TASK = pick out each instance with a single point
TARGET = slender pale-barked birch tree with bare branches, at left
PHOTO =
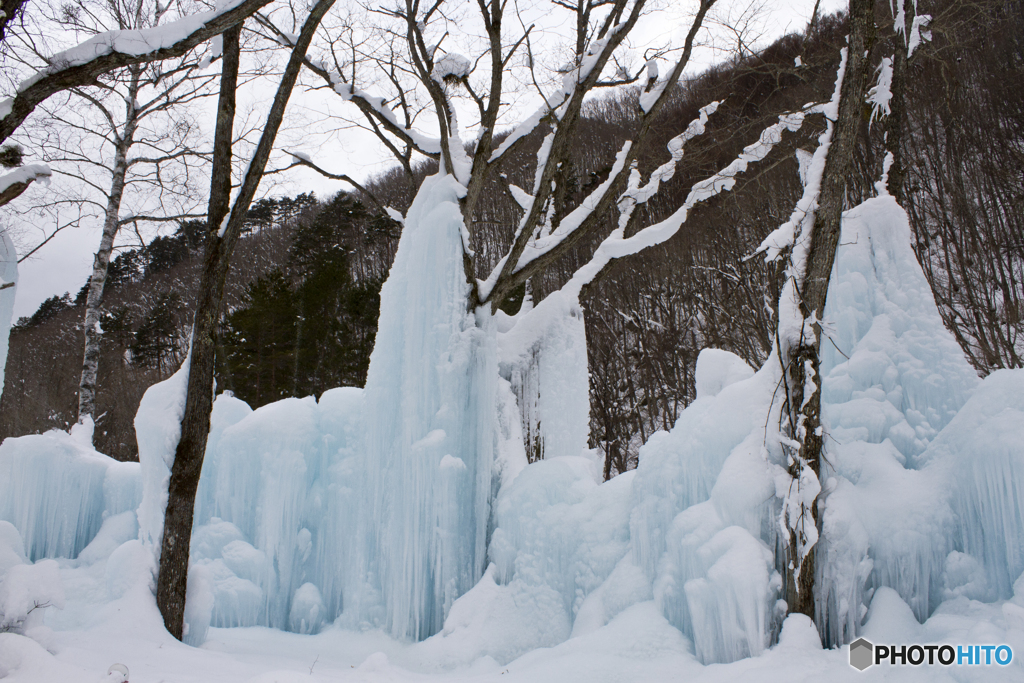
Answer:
(130, 144)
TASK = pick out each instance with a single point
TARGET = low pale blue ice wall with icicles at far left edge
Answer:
(58, 492)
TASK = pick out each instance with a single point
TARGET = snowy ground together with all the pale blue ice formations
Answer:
(332, 535)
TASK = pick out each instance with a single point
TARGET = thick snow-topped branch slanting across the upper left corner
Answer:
(83, 64)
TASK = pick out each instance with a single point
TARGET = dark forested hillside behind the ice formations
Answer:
(305, 288)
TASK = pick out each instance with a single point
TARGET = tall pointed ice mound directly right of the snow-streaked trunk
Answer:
(893, 379)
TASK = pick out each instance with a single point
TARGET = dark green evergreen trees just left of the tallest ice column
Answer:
(304, 333)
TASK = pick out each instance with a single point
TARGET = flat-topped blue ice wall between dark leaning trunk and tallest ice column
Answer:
(277, 508)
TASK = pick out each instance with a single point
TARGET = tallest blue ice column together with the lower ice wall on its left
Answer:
(380, 523)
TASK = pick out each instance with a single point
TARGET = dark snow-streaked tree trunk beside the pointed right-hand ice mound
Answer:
(825, 241)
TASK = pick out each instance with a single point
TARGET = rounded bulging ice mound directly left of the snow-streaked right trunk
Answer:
(703, 519)
